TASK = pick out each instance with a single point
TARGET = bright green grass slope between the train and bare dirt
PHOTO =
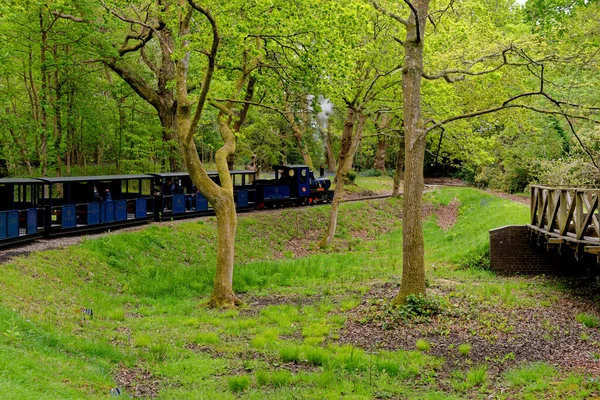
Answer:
(146, 289)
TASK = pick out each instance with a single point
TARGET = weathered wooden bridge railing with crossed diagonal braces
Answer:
(566, 214)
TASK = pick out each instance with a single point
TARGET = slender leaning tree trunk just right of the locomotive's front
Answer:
(350, 143)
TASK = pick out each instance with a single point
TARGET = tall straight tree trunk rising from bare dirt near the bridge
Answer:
(413, 269)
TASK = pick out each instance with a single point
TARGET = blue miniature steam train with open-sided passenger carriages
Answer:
(31, 208)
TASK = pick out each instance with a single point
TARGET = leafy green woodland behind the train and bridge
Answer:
(84, 88)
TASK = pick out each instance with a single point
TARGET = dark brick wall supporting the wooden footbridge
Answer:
(512, 252)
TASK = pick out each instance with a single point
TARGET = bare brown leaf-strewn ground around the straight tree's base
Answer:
(500, 336)
